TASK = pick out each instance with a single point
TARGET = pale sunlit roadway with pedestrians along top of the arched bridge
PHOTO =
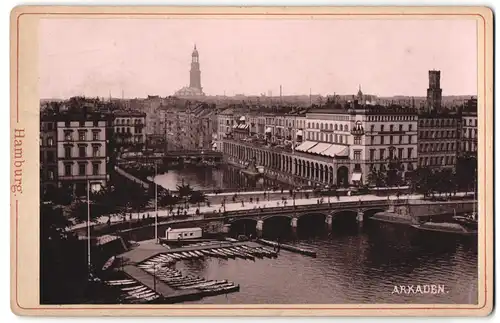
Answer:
(164, 214)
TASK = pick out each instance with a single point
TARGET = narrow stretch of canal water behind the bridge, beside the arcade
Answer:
(210, 178)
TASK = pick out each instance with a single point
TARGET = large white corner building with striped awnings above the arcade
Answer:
(362, 140)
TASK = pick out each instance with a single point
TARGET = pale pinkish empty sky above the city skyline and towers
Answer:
(95, 57)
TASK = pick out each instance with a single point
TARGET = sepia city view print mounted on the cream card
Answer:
(258, 160)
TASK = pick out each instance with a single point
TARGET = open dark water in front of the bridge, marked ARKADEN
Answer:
(353, 265)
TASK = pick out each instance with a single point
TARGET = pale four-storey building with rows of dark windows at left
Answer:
(81, 150)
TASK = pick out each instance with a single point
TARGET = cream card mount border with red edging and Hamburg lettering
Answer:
(25, 205)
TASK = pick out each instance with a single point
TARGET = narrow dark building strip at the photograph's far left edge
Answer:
(48, 152)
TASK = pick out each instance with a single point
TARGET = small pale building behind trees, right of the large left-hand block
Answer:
(129, 127)
